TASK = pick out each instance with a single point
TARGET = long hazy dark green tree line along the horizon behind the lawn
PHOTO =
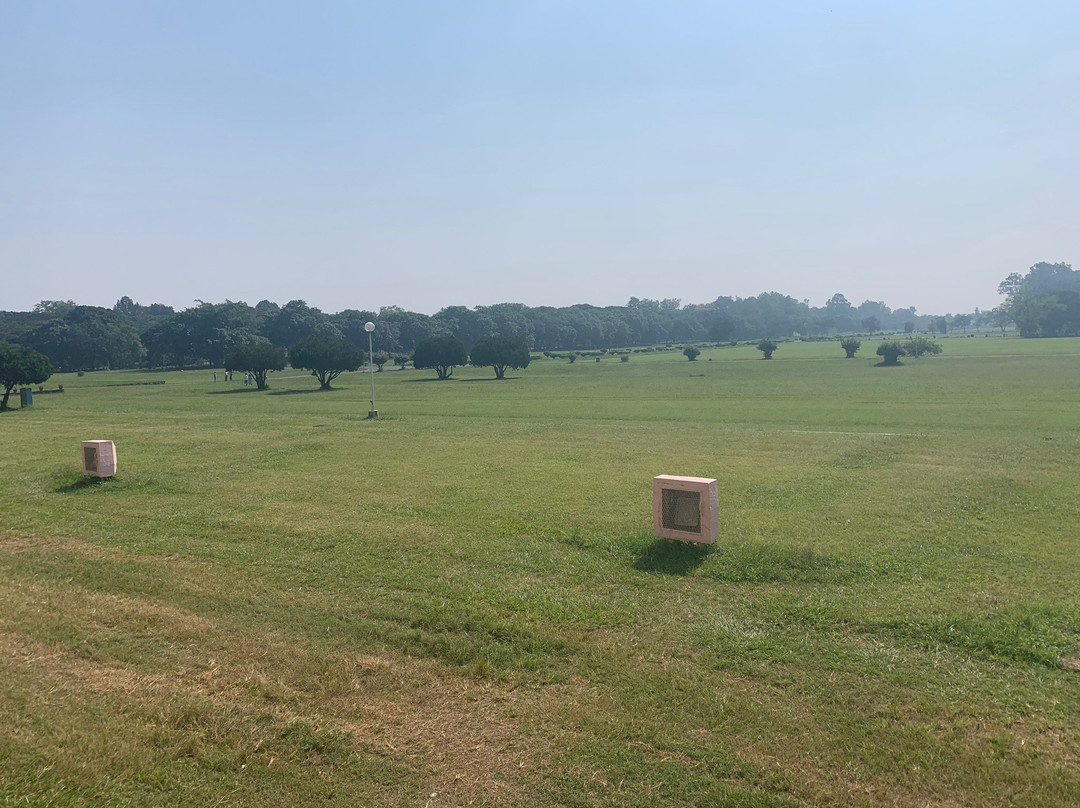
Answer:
(1044, 303)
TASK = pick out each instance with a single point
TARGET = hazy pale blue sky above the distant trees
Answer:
(359, 155)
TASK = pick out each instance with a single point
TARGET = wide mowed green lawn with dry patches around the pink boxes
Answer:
(278, 602)
